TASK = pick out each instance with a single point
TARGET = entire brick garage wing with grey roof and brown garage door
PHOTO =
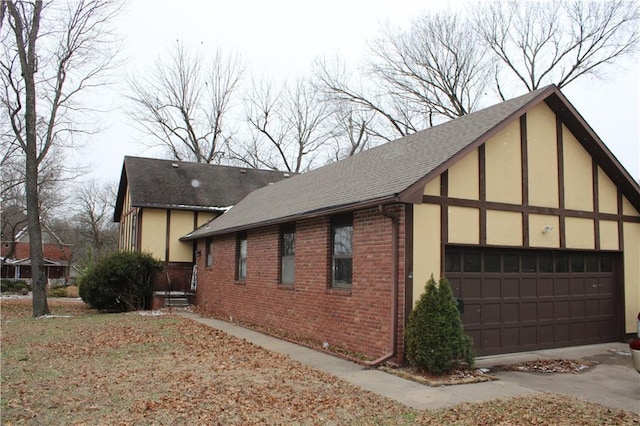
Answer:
(521, 206)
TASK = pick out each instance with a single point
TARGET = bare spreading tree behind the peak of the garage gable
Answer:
(539, 43)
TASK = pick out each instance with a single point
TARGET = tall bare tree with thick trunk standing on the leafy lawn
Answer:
(51, 54)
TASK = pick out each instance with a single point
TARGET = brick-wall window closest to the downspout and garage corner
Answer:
(342, 251)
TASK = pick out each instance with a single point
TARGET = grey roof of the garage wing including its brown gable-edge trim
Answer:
(399, 170)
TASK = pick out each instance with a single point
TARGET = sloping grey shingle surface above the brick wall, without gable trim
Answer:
(378, 174)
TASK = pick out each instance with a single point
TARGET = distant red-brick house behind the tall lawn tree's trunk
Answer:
(16, 259)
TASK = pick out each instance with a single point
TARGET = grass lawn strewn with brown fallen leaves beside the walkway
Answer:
(81, 367)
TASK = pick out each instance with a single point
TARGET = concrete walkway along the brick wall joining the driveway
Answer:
(612, 383)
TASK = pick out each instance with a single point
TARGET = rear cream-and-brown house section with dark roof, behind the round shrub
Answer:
(159, 201)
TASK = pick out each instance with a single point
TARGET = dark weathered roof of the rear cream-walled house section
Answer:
(188, 186)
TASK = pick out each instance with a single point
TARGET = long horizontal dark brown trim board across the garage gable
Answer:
(493, 205)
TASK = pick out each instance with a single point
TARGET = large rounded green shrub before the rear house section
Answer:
(120, 282)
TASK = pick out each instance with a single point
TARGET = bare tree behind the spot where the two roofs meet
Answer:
(288, 127)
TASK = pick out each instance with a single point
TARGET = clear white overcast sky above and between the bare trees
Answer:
(282, 37)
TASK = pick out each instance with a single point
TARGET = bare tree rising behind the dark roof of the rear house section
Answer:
(185, 101)
